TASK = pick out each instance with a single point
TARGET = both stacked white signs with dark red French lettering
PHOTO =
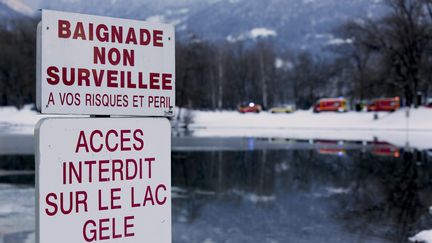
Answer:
(104, 179)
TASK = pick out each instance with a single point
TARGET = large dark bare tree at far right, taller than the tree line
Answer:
(400, 39)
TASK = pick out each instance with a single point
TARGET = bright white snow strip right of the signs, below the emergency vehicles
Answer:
(419, 119)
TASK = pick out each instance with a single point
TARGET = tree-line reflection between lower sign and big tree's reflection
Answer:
(233, 176)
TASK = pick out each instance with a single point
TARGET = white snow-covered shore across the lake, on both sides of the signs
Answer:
(414, 131)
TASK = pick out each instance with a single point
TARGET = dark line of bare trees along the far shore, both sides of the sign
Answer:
(387, 56)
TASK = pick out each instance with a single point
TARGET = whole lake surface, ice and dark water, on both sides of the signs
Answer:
(264, 189)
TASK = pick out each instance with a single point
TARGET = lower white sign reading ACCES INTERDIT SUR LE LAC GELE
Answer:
(103, 180)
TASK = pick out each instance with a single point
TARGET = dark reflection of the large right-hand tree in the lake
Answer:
(389, 196)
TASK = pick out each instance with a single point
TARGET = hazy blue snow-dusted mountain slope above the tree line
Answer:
(294, 24)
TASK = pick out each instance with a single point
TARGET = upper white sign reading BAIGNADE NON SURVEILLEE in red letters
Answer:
(94, 65)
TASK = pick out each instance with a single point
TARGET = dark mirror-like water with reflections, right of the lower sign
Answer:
(378, 194)
